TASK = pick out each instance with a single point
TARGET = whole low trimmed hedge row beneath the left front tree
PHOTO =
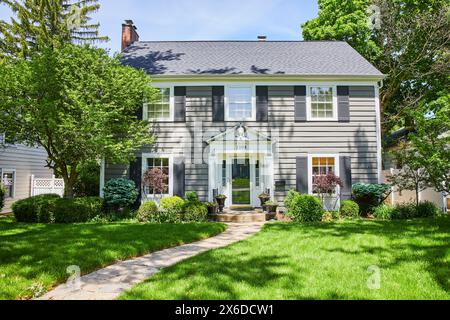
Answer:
(53, 209)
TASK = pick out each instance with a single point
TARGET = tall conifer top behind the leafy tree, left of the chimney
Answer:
(45, 23)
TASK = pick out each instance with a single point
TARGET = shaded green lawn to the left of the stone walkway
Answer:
(34, 255)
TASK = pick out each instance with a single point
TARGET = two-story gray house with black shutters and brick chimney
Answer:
(244, 117)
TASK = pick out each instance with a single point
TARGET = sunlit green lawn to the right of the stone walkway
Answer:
(316, 261)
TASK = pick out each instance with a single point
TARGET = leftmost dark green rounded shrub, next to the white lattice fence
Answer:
(35, 209)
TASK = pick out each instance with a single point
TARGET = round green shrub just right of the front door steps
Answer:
(305, 208)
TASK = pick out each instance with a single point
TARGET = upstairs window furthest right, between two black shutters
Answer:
(322, 103)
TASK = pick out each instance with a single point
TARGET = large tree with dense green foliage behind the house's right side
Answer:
(410, 44)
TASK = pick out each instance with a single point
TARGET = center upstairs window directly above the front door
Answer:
(240, 105)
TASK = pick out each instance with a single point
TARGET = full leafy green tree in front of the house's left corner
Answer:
(76, 102)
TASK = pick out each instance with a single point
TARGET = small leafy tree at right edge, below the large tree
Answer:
(431, 140)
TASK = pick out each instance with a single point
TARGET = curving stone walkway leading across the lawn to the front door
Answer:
(110, 282)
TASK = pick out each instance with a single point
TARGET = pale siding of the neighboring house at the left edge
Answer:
(26, 161)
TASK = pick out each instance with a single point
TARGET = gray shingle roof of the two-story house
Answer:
(320, 58)
